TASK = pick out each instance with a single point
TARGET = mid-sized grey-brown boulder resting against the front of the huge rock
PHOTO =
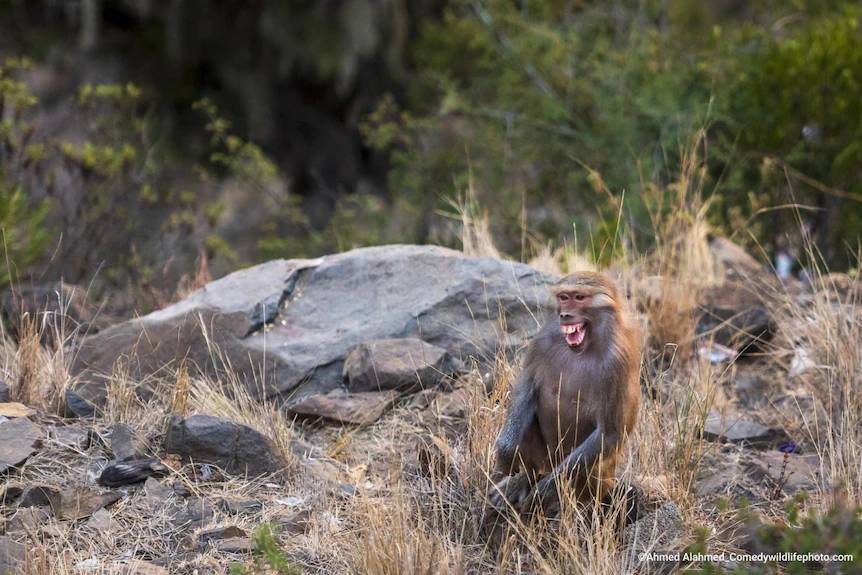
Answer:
(407, 364)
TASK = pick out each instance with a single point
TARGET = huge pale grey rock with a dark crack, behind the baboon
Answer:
(316, 311)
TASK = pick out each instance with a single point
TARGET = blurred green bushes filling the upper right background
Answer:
(540, 100)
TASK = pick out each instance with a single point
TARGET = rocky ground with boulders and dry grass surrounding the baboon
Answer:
(350, 403)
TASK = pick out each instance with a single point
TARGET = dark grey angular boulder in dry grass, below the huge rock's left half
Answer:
(236, 448)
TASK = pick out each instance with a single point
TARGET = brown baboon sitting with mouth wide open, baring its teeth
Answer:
(575, 400)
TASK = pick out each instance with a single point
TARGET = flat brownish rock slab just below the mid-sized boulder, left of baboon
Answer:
(356, 408)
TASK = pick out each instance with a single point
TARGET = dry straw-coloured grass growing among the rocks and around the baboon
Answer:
(421, 474)
